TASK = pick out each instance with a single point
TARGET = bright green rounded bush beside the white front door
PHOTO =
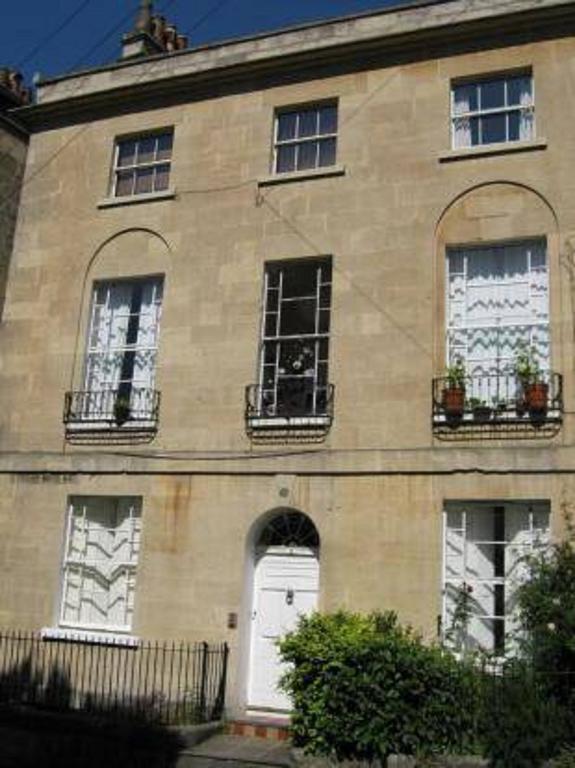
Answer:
(363, 687)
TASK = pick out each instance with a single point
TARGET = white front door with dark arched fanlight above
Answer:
(283, 550)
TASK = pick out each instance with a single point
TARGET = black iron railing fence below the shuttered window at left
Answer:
(170, 683)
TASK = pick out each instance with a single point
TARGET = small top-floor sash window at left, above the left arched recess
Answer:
(142, 164)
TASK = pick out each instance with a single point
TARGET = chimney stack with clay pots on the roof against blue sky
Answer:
(151, 35)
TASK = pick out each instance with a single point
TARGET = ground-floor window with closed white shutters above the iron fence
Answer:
(100, 559)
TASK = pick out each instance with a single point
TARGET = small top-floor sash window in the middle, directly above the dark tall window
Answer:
(305, 138)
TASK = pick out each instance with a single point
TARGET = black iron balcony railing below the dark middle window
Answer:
(294, 404)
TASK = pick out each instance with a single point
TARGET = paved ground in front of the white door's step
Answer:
(236, 751)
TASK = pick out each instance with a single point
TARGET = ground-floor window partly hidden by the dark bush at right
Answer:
(485, 550)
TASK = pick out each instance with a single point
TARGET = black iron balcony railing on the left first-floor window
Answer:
(112, 409)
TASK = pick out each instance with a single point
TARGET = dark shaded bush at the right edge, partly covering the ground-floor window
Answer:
(529, 715)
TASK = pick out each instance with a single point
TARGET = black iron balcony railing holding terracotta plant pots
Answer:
(494, 401)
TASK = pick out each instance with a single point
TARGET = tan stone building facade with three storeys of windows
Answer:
(248, 274)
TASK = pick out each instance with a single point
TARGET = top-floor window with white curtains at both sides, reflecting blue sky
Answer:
(492, 110)
